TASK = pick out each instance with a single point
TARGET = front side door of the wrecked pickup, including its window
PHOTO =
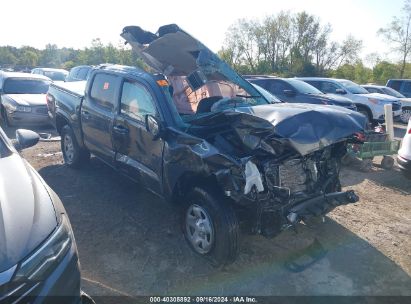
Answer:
(137, 154)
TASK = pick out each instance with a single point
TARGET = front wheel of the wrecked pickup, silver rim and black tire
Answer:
(206, 213)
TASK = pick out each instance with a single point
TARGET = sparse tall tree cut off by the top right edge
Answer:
(398, 33)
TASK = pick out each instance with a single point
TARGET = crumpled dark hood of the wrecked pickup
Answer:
(304, 127)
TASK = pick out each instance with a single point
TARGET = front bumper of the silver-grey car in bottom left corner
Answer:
(61, 286)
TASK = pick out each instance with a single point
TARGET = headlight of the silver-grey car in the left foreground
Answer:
(45, 259)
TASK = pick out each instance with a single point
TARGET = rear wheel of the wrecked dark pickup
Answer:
(73, 155)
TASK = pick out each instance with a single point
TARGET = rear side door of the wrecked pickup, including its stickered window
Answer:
(97, 114)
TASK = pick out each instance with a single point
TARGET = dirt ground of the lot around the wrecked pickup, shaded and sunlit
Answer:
(130, 243)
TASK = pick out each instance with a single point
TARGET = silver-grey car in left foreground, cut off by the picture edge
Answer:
(38, 253)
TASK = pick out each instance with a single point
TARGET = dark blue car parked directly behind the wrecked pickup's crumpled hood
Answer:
(297, 91)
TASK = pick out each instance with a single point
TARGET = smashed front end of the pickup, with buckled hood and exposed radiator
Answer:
(281, 180)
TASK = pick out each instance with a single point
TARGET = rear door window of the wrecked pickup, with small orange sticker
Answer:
(103, 90)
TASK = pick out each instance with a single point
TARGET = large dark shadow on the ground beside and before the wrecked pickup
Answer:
(130, 244)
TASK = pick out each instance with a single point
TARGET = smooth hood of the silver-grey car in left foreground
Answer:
(27, 214)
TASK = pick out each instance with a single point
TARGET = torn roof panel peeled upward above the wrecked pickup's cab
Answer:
(173, 52)
